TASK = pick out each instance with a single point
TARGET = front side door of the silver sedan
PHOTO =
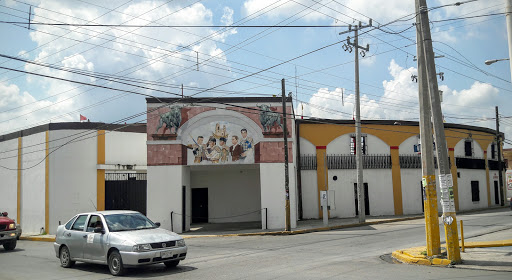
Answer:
(95, 245)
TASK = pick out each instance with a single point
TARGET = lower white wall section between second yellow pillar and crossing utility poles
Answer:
(412, 198)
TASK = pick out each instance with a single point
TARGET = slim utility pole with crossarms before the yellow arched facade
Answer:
(358, 150)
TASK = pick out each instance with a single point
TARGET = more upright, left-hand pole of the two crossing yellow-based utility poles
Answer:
(427, 151)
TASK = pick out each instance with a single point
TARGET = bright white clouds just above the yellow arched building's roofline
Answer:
(400, 101)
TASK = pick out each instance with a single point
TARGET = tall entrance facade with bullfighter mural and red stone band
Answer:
(219, 160)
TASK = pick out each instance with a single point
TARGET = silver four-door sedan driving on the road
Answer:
(118, 239)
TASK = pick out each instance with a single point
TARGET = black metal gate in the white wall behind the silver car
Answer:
(126, 191)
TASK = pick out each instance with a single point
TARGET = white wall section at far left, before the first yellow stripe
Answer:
(9, 177)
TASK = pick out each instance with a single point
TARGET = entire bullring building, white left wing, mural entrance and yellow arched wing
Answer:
(221, 160)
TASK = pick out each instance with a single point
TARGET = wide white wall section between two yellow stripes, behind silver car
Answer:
(72, 175)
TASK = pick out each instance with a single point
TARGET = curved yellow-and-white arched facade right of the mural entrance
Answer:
(392, 167)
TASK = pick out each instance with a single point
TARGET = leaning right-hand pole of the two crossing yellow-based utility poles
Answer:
(445, 177)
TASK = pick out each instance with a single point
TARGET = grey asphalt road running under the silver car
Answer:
(356, 253)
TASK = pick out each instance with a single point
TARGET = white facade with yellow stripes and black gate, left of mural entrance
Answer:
(51, 172)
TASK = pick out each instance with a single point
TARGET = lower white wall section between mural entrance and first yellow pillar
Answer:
(309, 194)
